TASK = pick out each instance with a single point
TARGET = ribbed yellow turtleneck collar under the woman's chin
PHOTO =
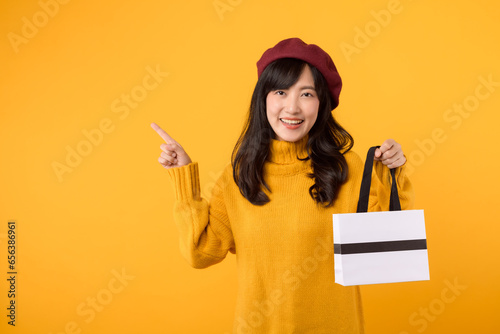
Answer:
(283, 155)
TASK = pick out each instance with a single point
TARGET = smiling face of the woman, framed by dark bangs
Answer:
(293, 111)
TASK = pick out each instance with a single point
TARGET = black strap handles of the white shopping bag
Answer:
(364, 191)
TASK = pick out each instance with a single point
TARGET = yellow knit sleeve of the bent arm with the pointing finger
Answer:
(204, 229)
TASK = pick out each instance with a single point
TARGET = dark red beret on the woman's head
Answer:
(311, 53)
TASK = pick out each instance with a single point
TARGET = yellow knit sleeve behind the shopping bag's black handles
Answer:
(380, 190)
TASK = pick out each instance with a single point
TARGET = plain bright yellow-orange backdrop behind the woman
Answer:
(113, 212)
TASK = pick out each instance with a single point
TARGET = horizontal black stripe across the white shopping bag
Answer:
(380, 246)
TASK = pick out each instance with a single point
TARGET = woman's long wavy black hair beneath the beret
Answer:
(326, 144)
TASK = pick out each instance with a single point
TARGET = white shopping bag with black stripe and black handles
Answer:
(379, 247)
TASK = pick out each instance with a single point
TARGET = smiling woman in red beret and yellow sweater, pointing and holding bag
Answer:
(291, 169)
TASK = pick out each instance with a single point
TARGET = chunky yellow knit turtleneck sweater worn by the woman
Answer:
(284, 249)
